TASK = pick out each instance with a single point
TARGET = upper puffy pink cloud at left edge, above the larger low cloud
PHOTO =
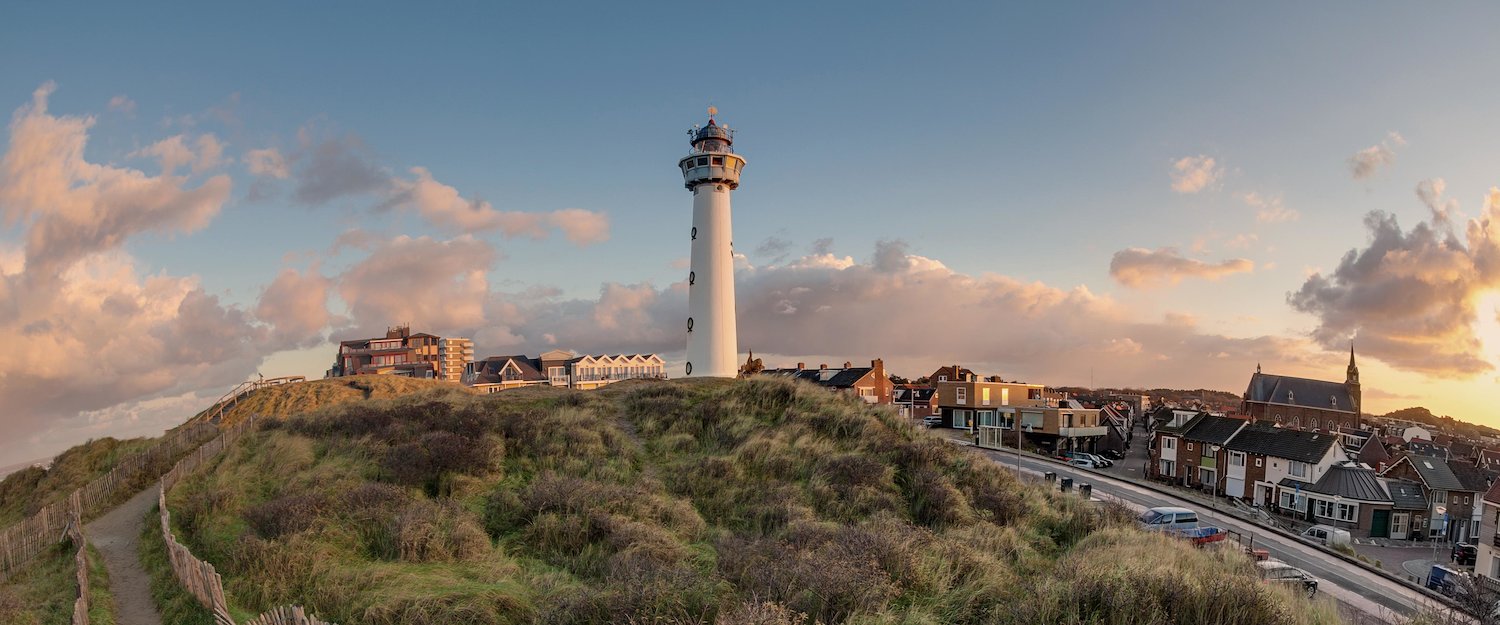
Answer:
(74, 208)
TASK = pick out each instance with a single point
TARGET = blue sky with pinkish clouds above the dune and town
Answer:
(1147, 196)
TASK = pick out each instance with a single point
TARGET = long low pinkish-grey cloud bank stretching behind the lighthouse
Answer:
(824, 305)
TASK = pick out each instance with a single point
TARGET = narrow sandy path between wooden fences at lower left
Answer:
(118, 537)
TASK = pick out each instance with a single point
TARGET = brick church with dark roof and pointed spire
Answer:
(1304, 404)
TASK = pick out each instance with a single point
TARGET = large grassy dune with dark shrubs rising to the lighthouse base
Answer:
(676, 503)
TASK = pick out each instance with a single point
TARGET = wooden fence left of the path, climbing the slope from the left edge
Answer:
(25, 542)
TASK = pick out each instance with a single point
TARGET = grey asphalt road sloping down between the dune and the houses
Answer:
(1355, 587)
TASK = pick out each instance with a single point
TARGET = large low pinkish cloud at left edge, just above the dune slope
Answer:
(106, 335)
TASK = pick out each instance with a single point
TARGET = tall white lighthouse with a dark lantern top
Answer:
(712, 172)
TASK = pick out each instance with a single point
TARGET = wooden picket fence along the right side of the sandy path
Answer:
(197, 576)
